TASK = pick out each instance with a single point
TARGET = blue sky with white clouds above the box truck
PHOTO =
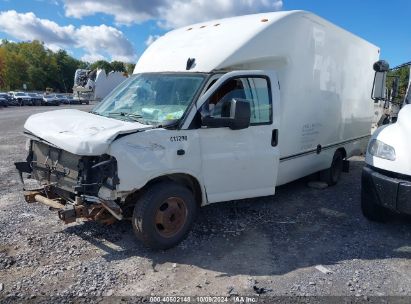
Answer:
(122, 29)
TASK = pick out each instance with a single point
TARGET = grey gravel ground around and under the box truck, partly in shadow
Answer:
(268, 246)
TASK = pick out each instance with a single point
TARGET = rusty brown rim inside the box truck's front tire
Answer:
(170, 217)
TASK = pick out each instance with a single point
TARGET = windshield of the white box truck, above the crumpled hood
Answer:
(158, 99)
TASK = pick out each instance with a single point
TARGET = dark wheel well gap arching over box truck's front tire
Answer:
(183, 179)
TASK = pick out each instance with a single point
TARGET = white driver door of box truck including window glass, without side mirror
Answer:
(238, 164)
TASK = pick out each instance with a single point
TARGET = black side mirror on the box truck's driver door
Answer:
(235, 114)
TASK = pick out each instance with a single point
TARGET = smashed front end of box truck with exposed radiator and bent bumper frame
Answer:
(76, 186)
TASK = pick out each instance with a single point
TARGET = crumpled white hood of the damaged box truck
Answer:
(79, 132)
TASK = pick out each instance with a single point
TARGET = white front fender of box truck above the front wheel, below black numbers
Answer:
(143, 156)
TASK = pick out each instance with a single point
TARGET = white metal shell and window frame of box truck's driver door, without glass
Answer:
(239, 164)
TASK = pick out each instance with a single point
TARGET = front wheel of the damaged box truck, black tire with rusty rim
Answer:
(163, 216)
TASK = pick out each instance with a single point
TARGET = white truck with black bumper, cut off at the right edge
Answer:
(386, 178)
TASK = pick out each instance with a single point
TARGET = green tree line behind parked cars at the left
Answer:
(34, 66)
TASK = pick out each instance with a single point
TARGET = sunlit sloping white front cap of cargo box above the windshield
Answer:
(210, 43)
